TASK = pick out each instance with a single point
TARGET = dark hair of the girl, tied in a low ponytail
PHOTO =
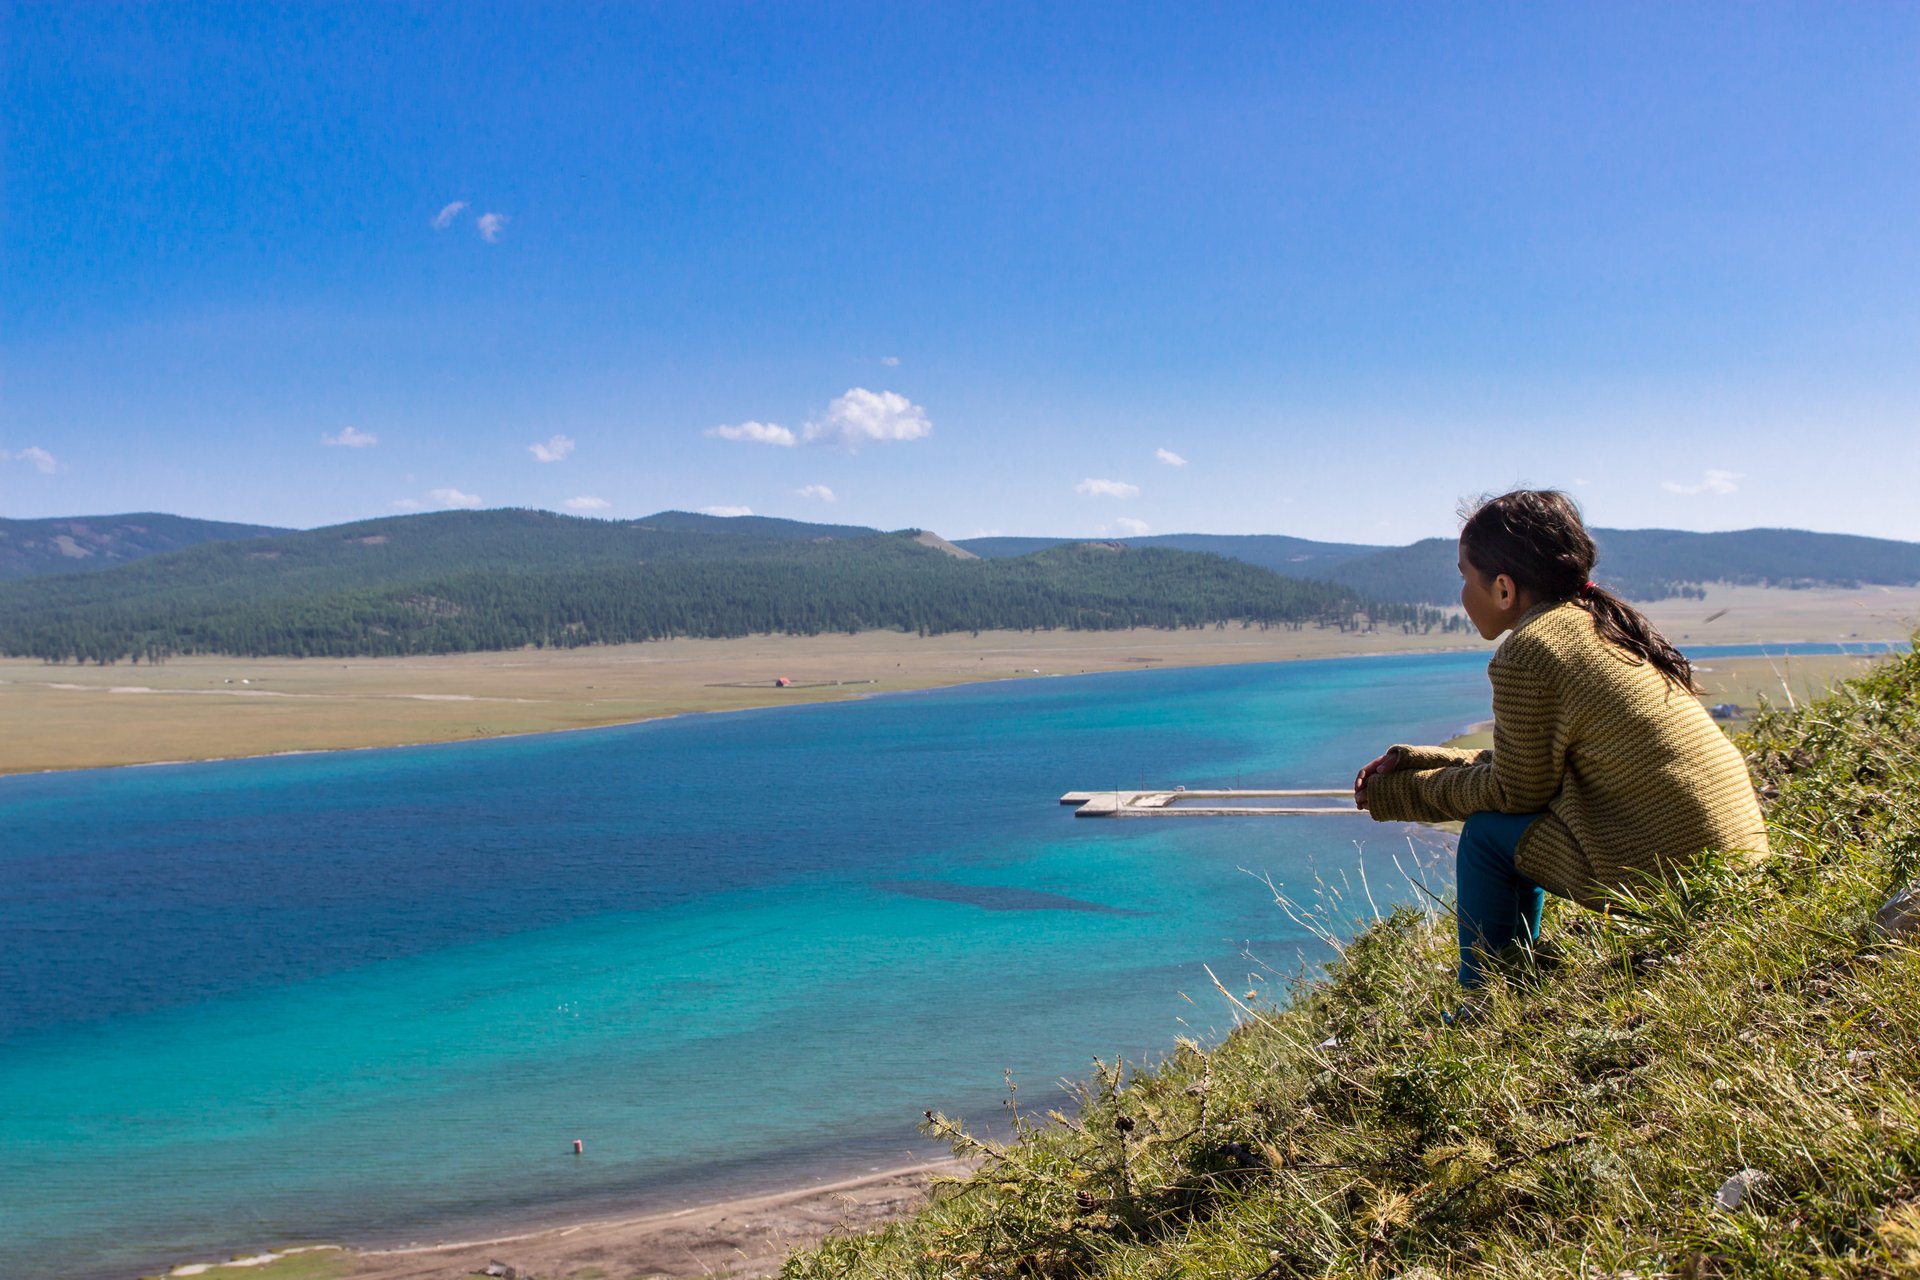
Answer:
(1535, 536)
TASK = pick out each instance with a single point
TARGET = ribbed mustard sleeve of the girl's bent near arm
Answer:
(1520, 776)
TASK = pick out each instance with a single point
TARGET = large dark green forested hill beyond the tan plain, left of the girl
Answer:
(454, 582)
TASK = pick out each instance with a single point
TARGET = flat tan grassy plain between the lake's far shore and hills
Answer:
(214, 709)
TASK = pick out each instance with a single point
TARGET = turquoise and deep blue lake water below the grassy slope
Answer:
(375, 997)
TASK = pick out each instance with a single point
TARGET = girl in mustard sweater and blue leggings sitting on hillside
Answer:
(1606, 772)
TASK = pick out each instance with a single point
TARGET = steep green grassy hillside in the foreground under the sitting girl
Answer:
(1750, 1018)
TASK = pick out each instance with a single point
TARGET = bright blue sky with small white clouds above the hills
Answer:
(1314, 270)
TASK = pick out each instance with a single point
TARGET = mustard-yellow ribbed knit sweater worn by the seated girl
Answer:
(1631, 772)
